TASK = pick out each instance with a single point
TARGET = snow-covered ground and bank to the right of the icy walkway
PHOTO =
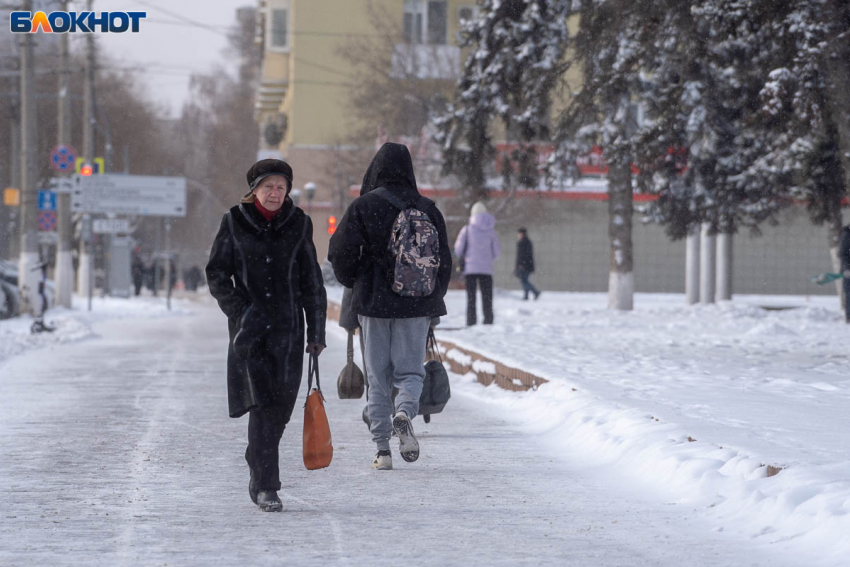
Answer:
(698, 403)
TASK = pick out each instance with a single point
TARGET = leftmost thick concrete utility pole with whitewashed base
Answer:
(28, 260)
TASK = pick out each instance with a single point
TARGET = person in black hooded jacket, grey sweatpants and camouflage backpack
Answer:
(392, 248)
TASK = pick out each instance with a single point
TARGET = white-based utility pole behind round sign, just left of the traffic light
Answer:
(64, 263)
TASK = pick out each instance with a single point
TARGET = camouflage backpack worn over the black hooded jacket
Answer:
(414, 248)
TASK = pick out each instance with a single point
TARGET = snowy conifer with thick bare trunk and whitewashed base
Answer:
(602, 112)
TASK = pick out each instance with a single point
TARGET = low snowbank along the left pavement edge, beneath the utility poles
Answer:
(76, 324)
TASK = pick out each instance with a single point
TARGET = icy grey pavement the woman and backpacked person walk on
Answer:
(118, 451)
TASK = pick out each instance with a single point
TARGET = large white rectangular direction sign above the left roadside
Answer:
(130, 195)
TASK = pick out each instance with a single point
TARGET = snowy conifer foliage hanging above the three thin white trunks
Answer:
(707, 66)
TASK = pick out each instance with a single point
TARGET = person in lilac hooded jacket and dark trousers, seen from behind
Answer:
(478, 246)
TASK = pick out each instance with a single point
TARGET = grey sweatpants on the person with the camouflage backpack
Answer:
(395, 355)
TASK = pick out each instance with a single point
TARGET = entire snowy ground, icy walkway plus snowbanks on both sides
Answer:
(116, 448)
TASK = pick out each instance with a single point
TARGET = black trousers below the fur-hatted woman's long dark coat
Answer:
(265, 428)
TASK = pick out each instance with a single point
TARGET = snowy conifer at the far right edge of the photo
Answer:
(804, 120)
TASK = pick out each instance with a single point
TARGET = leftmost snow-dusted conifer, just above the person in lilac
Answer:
(517, 59)
